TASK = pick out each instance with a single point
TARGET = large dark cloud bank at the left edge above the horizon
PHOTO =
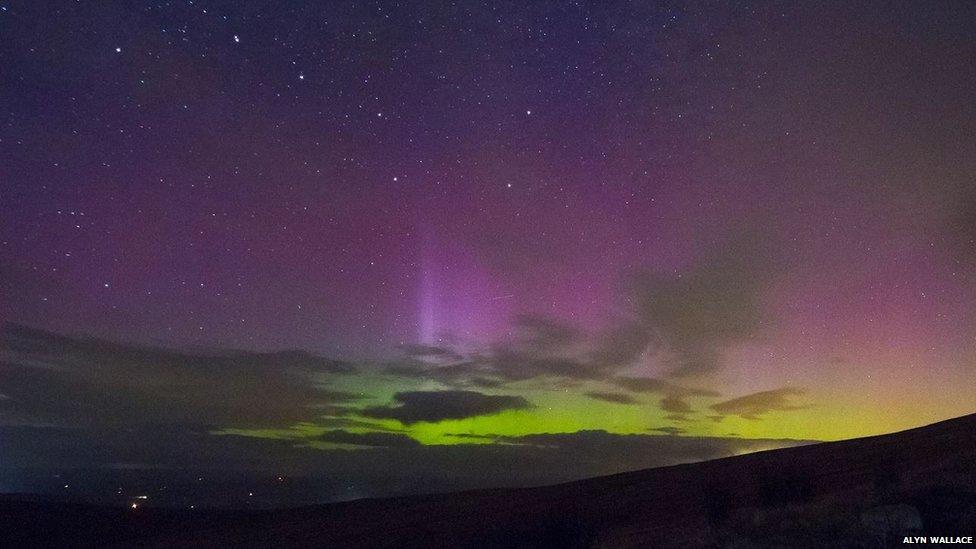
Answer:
(55, 379)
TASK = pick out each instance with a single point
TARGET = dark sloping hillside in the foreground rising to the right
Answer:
(859, 493)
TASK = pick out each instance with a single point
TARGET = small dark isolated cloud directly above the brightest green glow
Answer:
(433, 406)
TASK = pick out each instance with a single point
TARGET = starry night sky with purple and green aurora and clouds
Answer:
(414, 246)
